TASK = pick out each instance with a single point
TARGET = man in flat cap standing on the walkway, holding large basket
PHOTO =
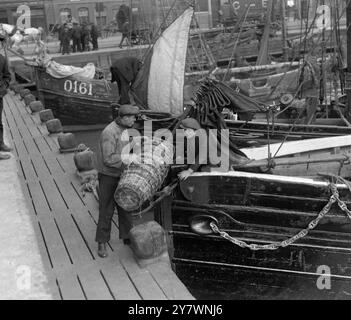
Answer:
(110, 168)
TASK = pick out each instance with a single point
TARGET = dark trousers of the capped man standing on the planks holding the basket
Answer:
(107, 188)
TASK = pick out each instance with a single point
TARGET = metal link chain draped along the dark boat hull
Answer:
(274, 246)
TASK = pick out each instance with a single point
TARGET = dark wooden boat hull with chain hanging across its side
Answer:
(261, 209)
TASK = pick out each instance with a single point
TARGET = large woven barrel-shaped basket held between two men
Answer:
(139, 182)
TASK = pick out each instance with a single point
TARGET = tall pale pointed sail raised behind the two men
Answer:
(160, 82)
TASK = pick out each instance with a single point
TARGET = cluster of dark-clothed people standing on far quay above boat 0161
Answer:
(75, 37)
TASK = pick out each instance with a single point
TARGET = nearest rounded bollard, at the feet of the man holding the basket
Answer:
(148, 240)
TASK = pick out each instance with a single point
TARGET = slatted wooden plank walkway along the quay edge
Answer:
(64, 222)
